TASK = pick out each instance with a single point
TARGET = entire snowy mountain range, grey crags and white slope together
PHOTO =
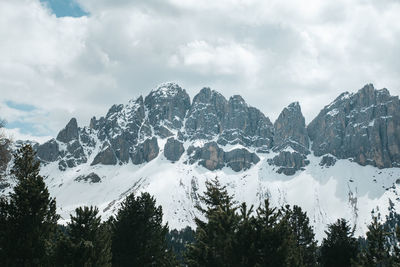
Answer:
(345, 163)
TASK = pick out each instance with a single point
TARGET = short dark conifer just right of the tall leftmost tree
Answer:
(87, 241)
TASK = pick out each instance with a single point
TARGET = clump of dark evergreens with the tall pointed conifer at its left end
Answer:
(232, 236)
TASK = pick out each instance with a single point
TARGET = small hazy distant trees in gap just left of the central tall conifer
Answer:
(179, 240)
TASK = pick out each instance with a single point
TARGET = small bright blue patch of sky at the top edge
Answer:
(65, 8)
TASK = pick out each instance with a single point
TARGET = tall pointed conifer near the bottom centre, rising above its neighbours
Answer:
(215, 238)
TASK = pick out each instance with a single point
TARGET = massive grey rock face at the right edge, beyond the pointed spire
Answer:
(364, 126)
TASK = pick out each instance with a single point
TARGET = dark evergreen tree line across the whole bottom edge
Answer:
(227, 233)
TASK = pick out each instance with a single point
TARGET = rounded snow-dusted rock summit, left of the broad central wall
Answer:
(167, 106)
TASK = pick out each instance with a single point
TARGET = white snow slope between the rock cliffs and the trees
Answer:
(344, 190)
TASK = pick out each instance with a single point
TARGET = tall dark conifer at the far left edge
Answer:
(29, 216)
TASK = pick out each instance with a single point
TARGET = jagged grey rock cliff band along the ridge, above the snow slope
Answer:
(364, 127)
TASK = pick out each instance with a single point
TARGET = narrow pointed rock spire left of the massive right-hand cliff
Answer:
(290, 129)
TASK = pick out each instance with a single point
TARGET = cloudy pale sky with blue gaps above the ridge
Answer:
(75, 58)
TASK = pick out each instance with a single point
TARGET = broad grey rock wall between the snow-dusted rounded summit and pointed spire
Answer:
(233, 121)
